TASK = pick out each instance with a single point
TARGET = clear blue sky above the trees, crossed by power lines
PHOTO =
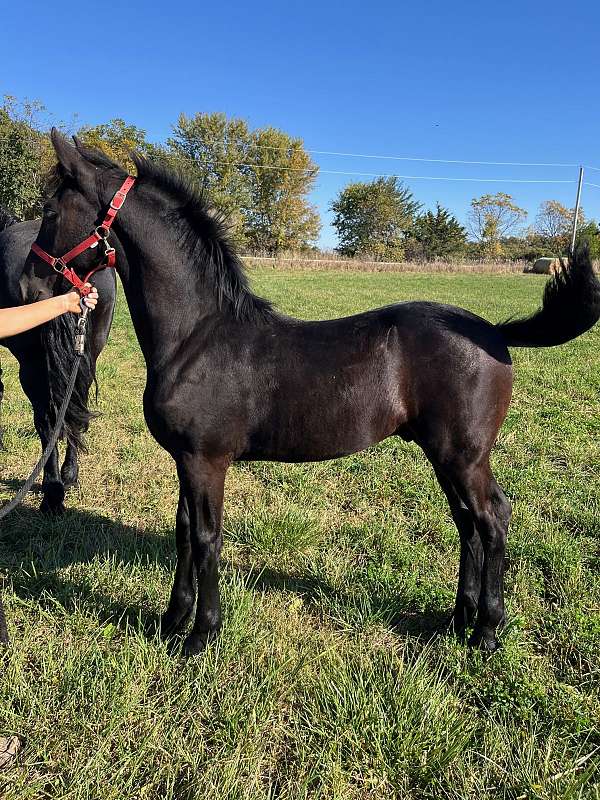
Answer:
(511, 81)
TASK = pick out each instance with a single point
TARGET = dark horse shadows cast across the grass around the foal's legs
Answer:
(34, 548)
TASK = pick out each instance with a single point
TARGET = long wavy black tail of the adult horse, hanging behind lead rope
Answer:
(58, 337)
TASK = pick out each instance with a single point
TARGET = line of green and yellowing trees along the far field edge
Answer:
(261, 180)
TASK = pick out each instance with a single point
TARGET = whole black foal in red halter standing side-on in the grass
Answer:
(230, 378)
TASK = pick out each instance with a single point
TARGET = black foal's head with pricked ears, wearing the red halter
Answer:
(84, 183)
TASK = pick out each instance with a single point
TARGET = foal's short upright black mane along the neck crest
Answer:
(206, 236)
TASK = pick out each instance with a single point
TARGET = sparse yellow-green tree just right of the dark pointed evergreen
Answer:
(492, 218)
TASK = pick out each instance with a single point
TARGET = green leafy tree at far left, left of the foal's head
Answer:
(25, 155)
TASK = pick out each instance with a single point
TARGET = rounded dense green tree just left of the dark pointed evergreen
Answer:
(374, 218)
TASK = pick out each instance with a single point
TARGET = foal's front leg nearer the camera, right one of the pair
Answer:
(202, 480)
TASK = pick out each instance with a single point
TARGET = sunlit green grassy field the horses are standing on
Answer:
(330, 679)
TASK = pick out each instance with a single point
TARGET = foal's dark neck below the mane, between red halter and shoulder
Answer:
(164, 302)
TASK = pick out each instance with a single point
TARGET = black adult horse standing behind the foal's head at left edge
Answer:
(45, 355)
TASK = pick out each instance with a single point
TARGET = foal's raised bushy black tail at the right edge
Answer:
(570, 307)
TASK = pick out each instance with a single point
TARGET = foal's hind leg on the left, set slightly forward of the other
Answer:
(471, 559)
